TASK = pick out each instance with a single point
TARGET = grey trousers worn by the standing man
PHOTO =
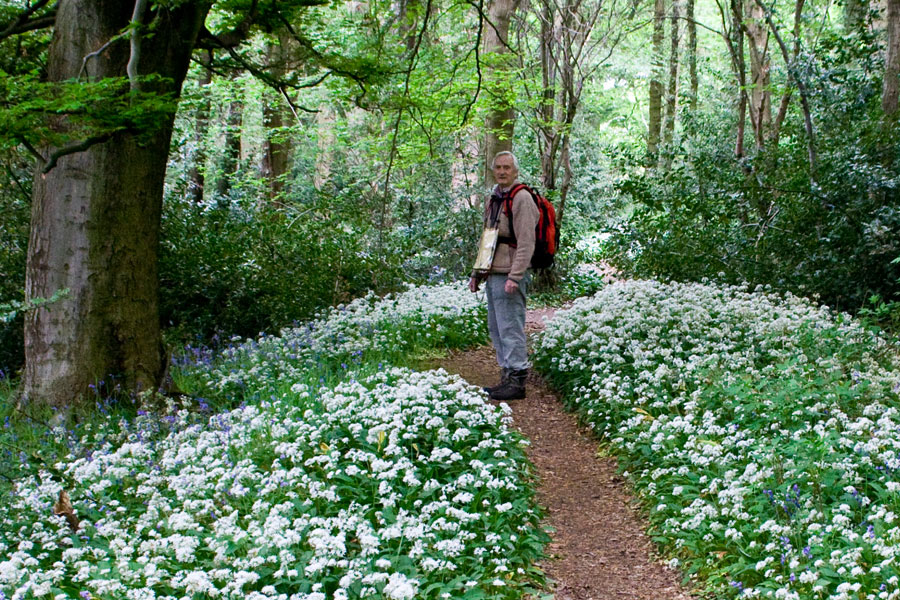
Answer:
(506, 321)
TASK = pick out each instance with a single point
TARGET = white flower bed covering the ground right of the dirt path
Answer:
(763, 431)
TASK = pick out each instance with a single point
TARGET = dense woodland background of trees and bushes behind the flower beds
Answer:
(315, 151)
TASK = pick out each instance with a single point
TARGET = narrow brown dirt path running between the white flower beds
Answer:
(599, 550)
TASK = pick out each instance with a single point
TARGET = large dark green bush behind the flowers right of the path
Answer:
(768, 217)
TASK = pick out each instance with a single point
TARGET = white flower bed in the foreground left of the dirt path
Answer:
(407, 485)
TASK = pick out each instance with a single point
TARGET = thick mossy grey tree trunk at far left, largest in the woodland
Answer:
(95, 218)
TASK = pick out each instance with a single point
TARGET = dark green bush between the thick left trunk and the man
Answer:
(240, 270)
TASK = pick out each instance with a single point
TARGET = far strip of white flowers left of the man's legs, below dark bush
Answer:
(366, 328)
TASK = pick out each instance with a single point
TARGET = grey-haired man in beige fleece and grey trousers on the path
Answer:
(507, 282)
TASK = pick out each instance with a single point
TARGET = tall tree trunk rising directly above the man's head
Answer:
(501, 118)
